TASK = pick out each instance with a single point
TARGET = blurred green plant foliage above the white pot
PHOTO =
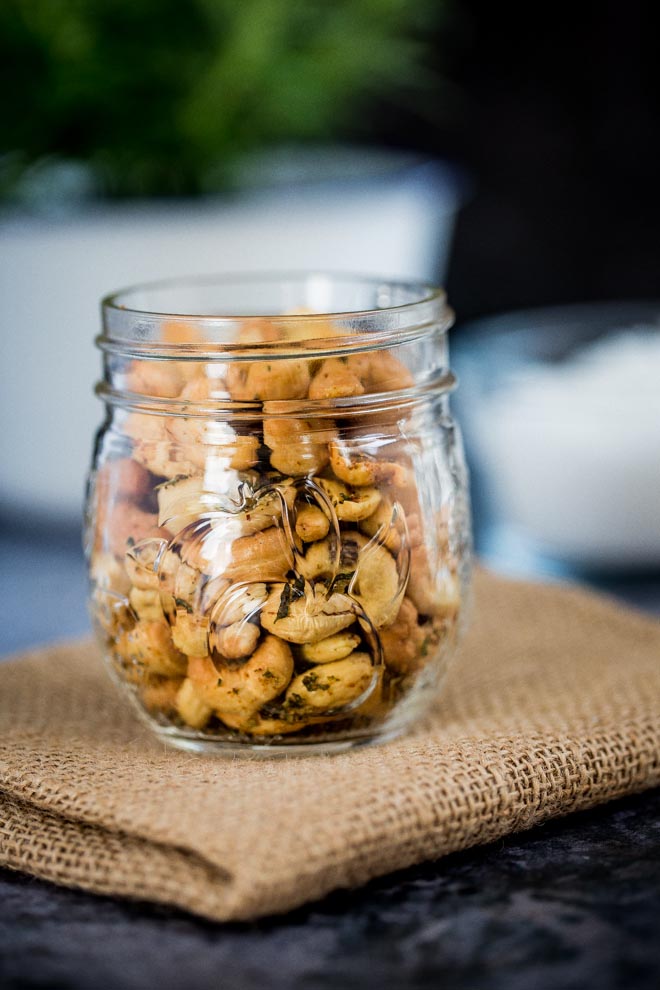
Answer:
(160, 97)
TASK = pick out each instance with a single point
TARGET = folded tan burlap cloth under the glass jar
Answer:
(553, 705)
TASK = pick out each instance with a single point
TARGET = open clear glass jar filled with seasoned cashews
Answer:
(277, 525)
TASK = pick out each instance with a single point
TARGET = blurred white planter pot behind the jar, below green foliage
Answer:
(53, 272)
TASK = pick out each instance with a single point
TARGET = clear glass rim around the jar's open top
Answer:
(132, 322)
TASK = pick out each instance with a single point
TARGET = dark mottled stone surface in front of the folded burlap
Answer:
(572, 905)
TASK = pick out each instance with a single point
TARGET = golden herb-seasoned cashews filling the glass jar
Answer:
(272, 576)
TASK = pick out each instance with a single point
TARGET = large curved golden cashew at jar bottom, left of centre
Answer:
(243, 690)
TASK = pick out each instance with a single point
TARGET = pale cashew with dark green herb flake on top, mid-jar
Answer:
(309, 618)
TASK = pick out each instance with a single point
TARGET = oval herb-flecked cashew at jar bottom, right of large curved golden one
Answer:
(330, 685)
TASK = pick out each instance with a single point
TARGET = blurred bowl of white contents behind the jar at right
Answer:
(561, 413)
